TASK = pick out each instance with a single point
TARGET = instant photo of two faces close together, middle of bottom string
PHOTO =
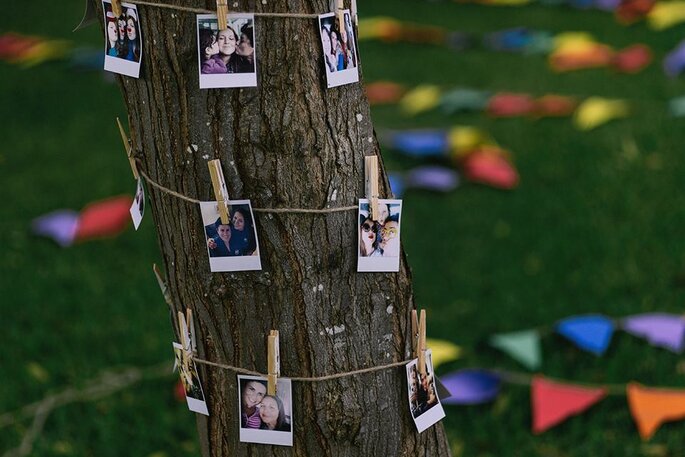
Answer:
(264, 418)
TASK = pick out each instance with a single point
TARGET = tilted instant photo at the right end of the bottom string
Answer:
(424, 402)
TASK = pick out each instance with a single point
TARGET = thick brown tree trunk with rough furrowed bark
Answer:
(293, 143)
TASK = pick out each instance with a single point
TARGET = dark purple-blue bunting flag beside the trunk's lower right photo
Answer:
(471, 386)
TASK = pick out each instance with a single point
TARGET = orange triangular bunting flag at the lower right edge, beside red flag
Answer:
(651, 407)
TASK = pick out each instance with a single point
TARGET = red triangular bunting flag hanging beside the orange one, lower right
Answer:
(554, 402)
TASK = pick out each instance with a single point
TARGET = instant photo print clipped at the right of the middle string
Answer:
(379, 241)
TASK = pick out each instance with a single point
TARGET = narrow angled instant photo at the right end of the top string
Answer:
(340, 55)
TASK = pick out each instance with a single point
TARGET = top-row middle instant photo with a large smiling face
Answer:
(226, 57)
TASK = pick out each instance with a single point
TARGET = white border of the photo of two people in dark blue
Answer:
(210, 212)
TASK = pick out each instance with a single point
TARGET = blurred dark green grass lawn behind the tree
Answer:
(593, 227)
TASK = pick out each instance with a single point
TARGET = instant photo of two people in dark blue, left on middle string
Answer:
(234, 246)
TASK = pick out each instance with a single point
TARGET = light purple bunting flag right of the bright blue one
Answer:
(660, 329)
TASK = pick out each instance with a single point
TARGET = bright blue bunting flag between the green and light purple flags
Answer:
(591, 333)
